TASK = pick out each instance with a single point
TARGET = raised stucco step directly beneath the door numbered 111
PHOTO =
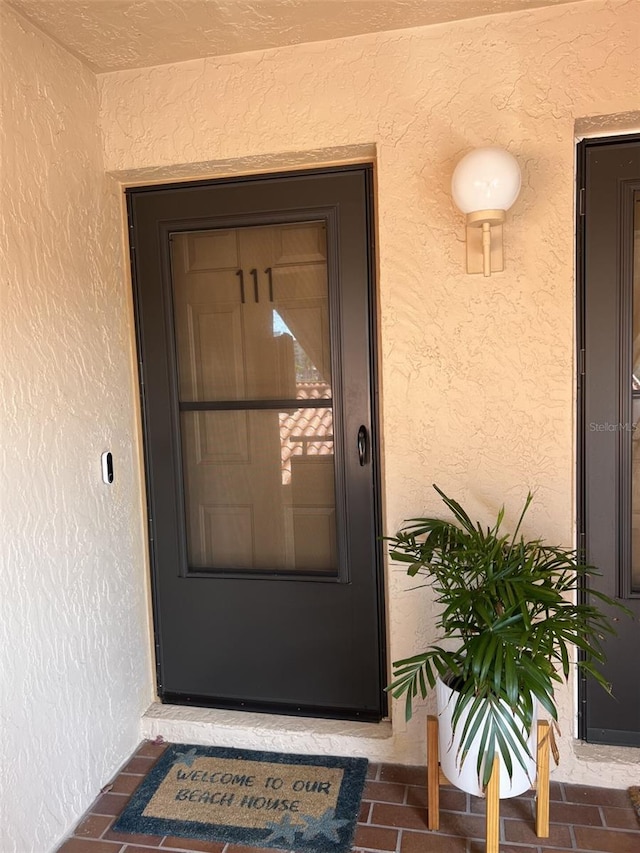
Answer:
(250, 730)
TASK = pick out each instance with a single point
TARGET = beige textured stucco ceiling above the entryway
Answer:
(114, 34)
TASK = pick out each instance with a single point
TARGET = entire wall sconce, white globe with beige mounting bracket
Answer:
(485, 184)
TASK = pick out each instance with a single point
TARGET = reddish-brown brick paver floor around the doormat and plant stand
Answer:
(393, 818)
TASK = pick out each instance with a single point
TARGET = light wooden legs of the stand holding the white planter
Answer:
(435, 778)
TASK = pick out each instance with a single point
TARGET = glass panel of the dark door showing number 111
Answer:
(251, 314)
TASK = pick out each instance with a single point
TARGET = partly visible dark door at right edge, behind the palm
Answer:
(609, 325)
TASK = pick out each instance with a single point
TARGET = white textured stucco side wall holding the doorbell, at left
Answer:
(74, 648)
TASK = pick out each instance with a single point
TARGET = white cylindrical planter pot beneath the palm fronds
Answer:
(465, 777)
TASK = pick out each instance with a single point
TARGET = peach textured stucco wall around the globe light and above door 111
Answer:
(477, 375)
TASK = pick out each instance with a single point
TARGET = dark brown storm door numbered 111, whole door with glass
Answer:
(254, 306)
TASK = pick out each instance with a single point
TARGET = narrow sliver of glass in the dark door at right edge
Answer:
(635, 527)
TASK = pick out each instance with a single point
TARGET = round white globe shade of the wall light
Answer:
(486, 179)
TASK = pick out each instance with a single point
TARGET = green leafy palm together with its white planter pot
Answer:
(512, 614)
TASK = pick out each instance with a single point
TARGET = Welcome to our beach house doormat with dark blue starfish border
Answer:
(259, 799)
